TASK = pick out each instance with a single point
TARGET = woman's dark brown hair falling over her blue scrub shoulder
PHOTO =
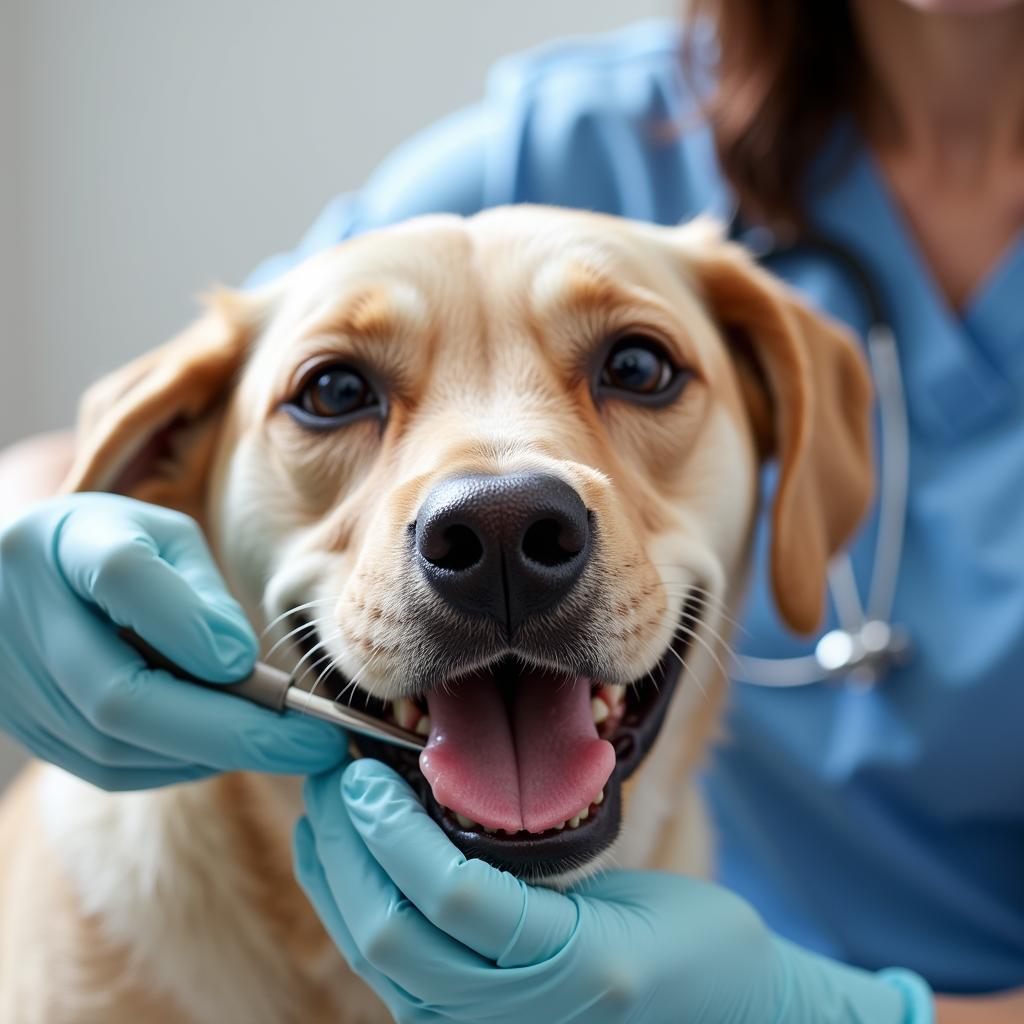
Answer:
(786, 70)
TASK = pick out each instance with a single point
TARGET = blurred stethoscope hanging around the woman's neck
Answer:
(867, 644)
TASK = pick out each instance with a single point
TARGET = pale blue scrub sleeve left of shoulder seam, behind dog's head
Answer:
(440, 170)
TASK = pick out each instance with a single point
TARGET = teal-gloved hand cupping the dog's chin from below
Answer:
(443, 938)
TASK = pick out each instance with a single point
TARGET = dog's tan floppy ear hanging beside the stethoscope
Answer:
(809, 395)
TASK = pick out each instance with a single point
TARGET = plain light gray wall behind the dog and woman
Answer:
(150, 149)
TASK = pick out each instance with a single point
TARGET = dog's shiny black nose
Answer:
(507, 547)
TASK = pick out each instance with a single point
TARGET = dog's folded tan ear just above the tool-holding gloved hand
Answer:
(148, 430)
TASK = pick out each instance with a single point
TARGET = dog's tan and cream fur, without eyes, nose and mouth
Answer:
(180, 906)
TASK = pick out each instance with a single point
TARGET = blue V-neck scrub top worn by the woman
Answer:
(882, 827)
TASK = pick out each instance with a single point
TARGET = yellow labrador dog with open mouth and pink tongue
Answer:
(499, 476)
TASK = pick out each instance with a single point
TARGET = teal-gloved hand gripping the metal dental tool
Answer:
(77, 696)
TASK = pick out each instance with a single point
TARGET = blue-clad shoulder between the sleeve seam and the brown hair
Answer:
(608, 122)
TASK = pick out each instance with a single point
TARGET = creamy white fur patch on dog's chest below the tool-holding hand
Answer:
(170, 874)
